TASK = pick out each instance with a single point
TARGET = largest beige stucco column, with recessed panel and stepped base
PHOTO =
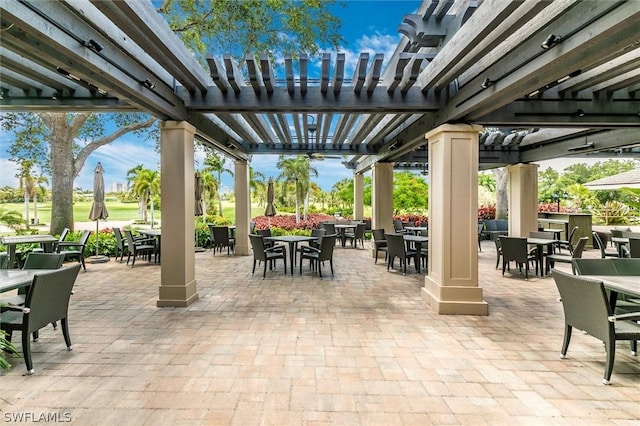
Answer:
(451, 287)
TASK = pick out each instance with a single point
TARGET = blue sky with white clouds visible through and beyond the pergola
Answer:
(368, 26)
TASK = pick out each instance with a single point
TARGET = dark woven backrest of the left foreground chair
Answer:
(48, 297)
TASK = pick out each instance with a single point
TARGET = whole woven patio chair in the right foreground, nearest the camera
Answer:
(587, 308)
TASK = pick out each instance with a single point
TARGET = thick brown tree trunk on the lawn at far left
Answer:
(62, 175)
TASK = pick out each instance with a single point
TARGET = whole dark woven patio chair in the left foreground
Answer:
(47, 302)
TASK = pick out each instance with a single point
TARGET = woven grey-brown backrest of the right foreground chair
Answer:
(585, 304)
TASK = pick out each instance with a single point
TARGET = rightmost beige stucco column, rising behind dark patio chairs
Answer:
(523, 199)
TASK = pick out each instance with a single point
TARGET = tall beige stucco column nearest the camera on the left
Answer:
(178, 286)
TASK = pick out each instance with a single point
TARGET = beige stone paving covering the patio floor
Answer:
(361, 348)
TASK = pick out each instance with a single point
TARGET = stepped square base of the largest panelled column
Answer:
(454, 300)
